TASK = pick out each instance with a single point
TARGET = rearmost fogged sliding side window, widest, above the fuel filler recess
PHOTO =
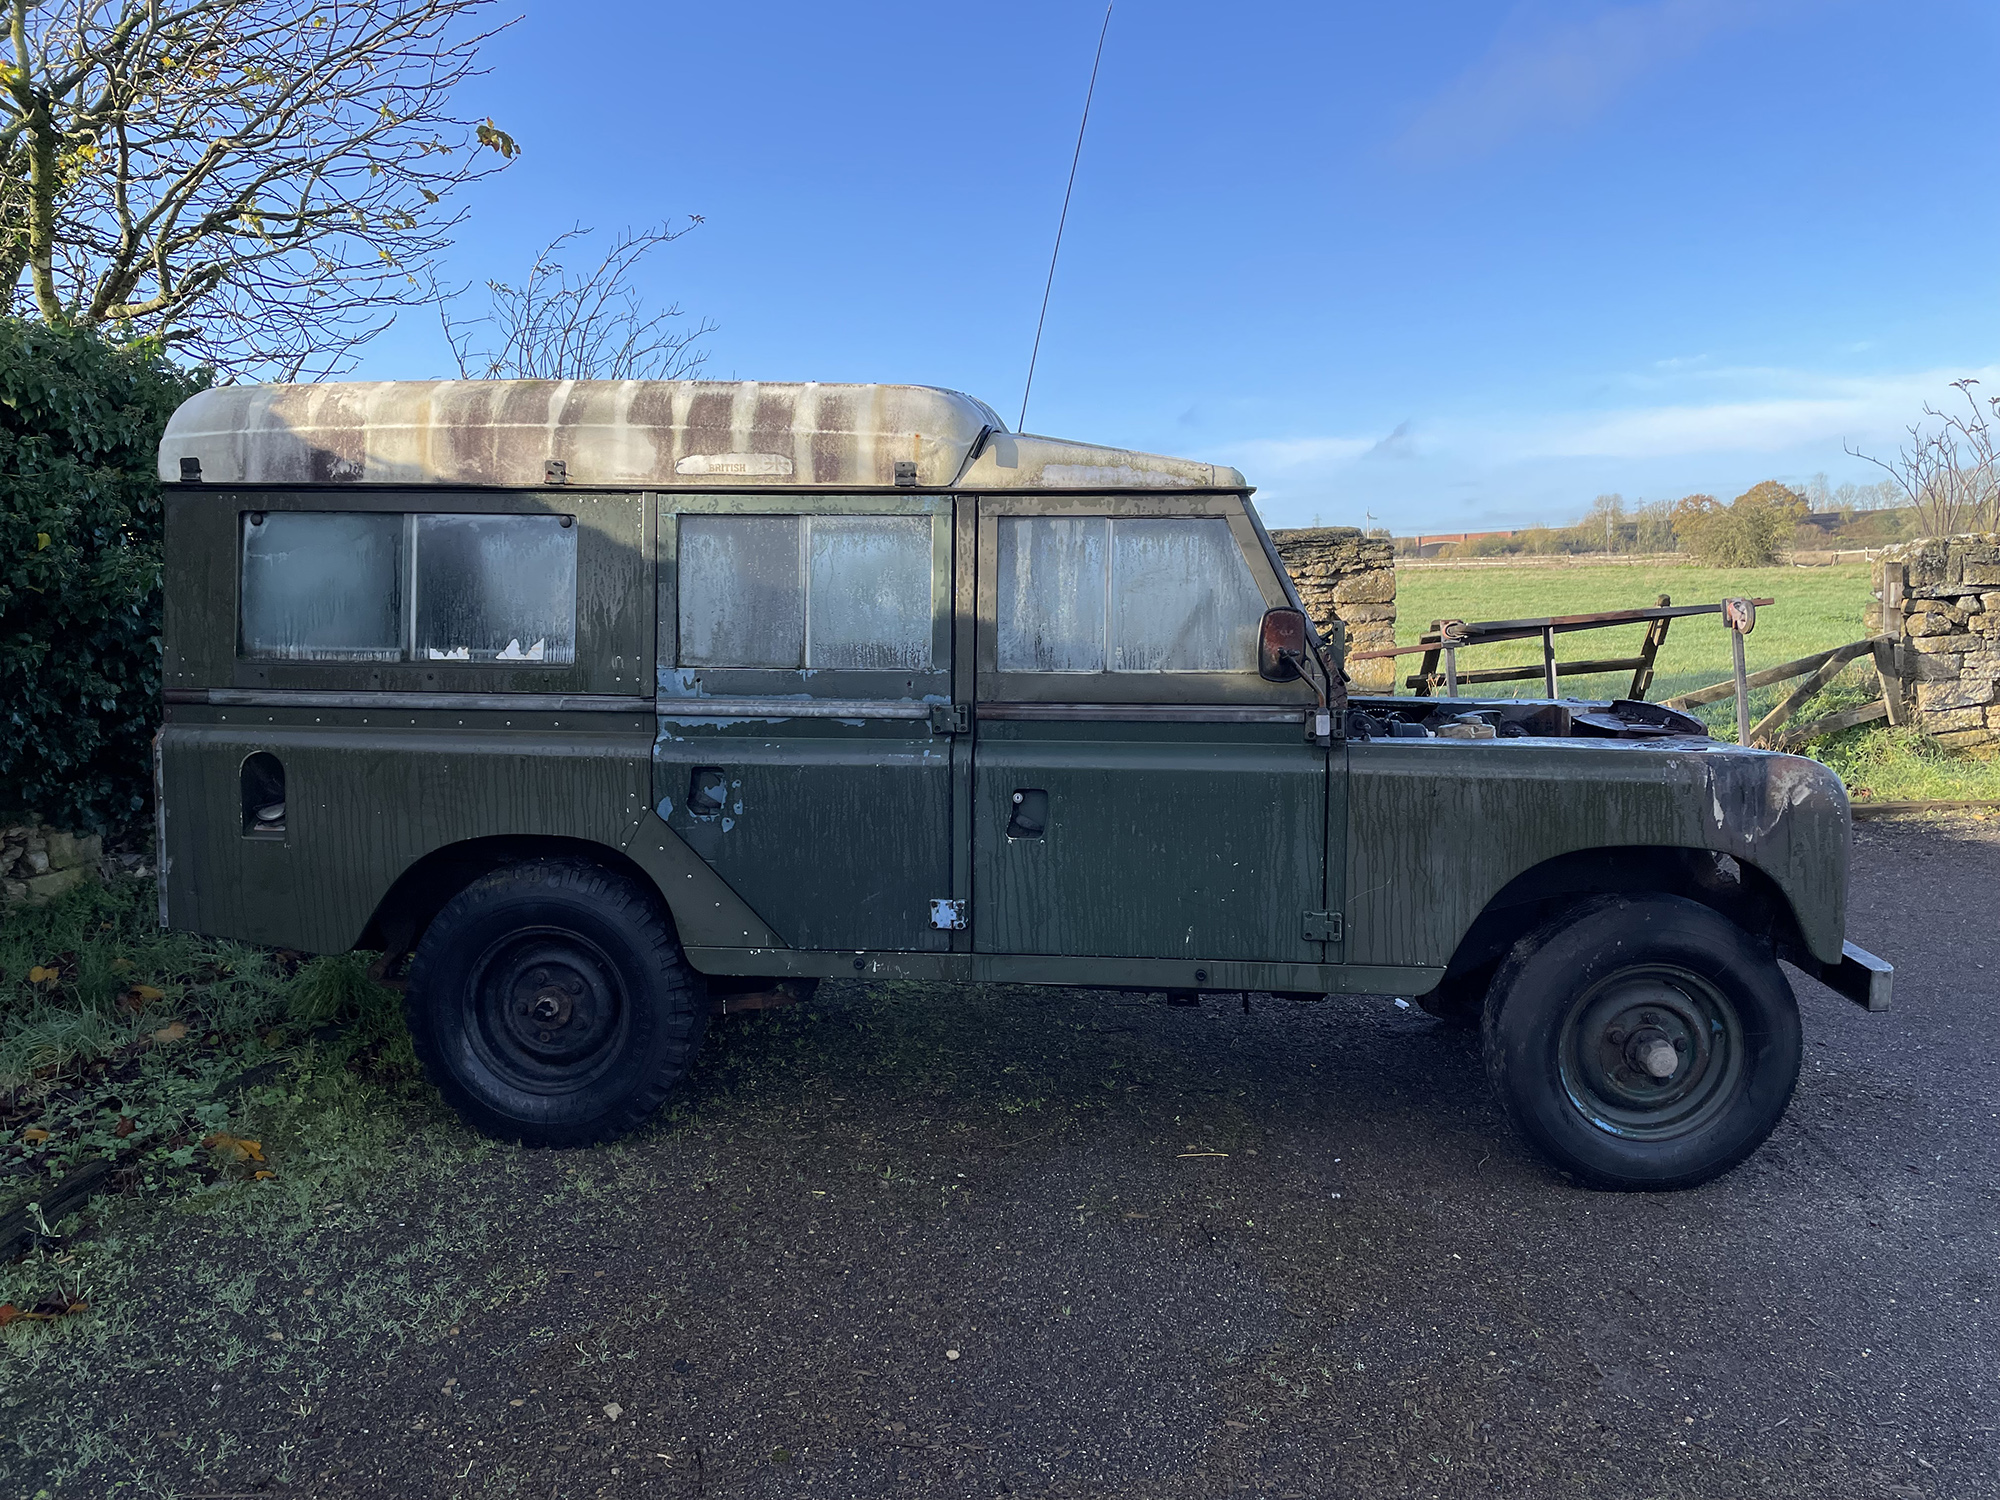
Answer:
(351, 587)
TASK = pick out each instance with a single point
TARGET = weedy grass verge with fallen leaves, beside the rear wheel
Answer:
(273, 1155)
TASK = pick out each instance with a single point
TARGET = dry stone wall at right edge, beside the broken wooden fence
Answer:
(1941, 601)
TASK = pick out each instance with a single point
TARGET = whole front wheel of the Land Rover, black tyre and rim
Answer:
(1643, 1043)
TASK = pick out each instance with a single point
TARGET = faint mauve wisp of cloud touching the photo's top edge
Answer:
(1547, 73)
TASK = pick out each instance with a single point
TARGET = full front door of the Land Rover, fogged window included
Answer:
(1139, 789)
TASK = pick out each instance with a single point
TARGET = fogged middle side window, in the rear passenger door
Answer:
(825, 593)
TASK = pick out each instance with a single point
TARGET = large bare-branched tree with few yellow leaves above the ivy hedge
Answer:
(259, 183)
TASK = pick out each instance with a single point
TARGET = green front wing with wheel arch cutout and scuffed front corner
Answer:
(1437, 829)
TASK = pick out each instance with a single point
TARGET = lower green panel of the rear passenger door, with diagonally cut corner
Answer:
(837, 833)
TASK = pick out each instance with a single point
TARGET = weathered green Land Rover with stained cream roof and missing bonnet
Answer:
(597, 701)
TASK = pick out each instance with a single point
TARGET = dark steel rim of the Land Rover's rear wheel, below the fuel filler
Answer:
(547, 1011)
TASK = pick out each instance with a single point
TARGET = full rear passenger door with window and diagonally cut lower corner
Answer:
(805, 645)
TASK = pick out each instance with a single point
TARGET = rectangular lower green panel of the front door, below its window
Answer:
(1163, 841)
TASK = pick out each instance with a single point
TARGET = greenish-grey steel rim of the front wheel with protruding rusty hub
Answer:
(1611, 1063)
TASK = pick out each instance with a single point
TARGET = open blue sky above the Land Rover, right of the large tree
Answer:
(1433, 265)
